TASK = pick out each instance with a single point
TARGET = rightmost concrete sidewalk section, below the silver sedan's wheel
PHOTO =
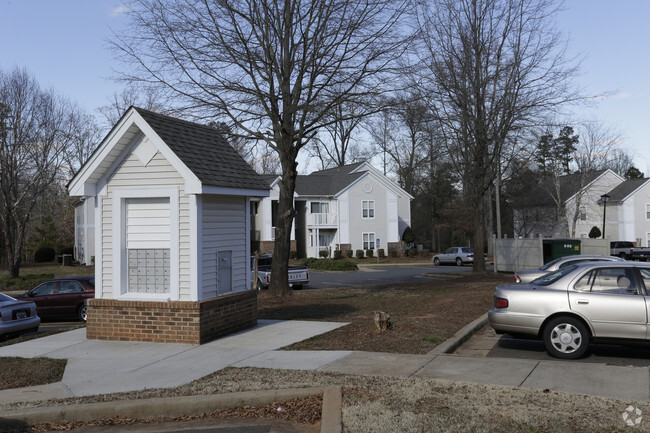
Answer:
(629, 383)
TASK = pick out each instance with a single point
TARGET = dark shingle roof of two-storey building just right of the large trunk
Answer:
(327, 182)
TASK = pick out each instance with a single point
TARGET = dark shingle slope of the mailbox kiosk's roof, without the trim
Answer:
(205, 152)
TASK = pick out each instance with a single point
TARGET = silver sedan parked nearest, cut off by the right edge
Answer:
(576, 305)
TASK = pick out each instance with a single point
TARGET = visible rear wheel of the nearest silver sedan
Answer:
(566, 338)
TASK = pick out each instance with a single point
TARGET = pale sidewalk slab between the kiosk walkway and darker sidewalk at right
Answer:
(294, 360)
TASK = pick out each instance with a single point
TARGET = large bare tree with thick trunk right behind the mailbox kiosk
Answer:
(276, 69)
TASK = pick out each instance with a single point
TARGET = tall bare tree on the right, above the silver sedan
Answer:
(492, 66)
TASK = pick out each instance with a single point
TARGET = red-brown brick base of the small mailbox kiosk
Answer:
(171, 322)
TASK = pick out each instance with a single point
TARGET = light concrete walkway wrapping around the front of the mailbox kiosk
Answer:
(102, 367)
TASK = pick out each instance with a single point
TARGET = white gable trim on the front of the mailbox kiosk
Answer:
(100, 164)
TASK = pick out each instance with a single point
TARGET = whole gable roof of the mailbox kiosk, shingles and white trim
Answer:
(199, 153)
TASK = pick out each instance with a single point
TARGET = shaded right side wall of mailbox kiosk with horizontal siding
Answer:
(223, 231)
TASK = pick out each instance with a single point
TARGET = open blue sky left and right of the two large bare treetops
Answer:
(62, 42)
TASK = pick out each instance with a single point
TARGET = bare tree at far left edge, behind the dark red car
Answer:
(32, 147)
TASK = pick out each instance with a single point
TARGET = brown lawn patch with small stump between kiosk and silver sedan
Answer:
(423, 314)
